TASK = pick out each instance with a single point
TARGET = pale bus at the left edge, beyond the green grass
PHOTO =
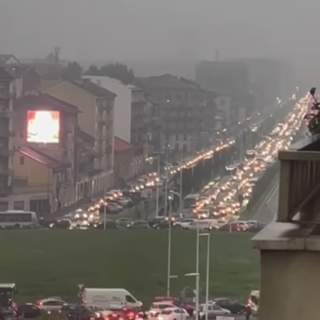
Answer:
(18, 219)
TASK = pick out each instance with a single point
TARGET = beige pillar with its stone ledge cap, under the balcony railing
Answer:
(290, 273)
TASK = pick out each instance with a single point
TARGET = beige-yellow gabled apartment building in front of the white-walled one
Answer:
(96, 106)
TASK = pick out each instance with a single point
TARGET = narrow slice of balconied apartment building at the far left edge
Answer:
(6, 94)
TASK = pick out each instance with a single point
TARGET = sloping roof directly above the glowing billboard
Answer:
(46, 101)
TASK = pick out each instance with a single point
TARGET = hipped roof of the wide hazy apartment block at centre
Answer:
(167, 81)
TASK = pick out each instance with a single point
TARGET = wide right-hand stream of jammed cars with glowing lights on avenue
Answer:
(220, 202)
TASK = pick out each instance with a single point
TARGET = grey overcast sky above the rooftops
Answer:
(162, 29)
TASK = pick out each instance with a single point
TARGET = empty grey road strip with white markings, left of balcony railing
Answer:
(266, 213)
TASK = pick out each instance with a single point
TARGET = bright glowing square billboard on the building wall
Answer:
(43, 126)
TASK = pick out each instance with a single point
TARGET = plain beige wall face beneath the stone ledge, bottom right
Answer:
(290, 282)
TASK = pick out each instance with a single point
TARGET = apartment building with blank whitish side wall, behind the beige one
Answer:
(129, 117)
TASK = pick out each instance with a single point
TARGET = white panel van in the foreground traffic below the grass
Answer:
(109, 298)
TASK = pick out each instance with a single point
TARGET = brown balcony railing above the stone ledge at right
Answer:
(299, 185)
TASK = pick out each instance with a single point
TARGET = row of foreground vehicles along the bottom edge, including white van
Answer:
(116, 304)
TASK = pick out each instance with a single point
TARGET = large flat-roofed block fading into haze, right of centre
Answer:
(231, 82)
